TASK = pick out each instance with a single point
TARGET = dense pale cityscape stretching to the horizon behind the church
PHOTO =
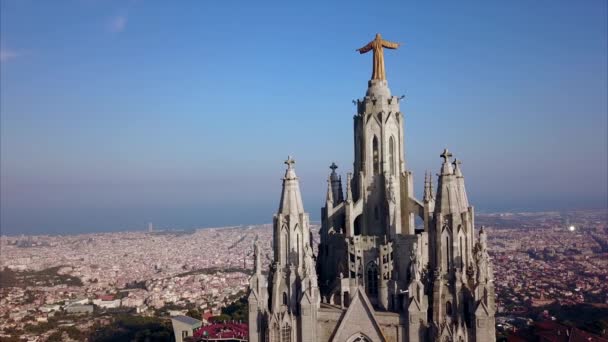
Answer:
(543, 261)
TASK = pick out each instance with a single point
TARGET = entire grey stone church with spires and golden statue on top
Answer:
(380, 278)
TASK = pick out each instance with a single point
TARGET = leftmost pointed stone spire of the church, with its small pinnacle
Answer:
(287, 311)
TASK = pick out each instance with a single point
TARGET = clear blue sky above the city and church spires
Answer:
(119, 113)
